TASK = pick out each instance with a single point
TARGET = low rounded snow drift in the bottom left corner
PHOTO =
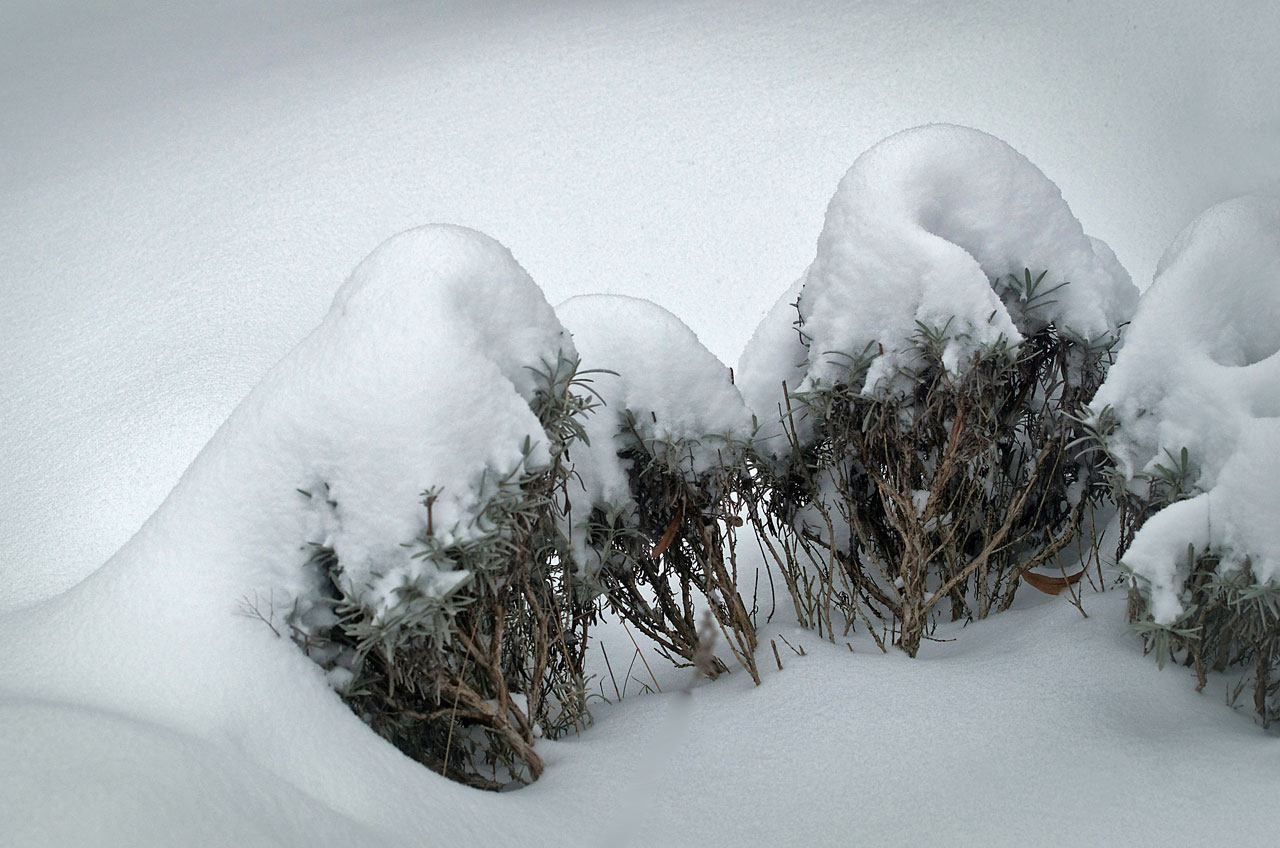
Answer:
(138, 787)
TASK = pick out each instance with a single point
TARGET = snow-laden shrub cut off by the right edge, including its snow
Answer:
(1190, 414)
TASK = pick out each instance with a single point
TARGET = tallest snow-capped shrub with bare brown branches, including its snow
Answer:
(918, 387)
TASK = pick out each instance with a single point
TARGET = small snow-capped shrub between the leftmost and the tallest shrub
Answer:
(661, 480)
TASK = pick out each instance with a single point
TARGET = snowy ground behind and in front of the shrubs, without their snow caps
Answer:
(188, 185)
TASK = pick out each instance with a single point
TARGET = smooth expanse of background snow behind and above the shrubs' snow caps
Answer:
(188, 184)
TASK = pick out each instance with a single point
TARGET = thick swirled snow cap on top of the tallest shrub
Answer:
(917, 232)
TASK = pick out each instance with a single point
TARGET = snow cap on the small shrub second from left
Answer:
(678, 393)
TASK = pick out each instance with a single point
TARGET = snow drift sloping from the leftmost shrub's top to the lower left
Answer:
(418, 377)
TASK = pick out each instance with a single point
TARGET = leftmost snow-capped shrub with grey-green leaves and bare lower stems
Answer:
(450, 619)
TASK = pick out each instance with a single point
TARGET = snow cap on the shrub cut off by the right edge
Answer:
(1200, 372)
